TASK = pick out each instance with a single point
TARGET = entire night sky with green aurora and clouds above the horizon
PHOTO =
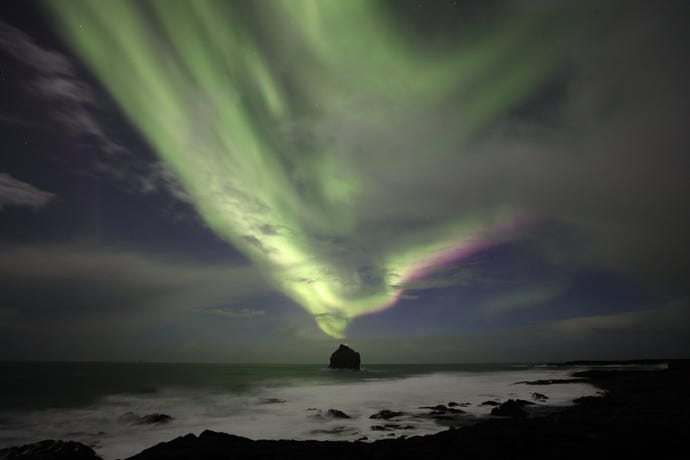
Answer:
(428, 181)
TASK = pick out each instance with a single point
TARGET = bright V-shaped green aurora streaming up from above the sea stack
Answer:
(243, 102)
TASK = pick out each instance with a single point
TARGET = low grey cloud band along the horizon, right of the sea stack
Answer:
(659, 332)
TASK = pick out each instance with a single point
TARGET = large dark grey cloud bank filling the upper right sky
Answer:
(600, 151)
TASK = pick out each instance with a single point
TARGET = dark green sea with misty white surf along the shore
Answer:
(102, 404)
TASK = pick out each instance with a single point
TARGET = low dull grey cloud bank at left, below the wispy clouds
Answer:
(105, 287)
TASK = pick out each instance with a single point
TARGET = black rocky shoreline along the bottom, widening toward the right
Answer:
(640, 414)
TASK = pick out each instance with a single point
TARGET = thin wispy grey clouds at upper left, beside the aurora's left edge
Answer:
(65, 98)
